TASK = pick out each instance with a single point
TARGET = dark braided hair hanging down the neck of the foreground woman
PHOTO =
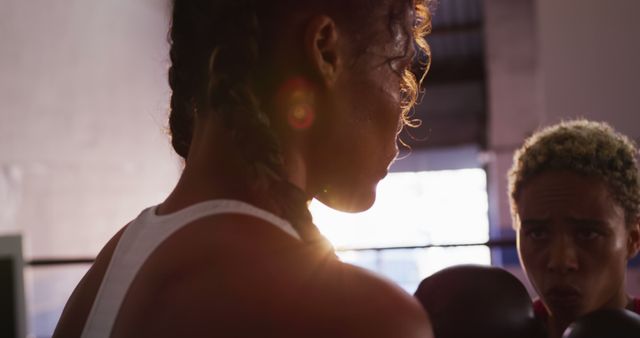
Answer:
(216, 61)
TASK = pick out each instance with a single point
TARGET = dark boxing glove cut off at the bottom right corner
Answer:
(614, 323)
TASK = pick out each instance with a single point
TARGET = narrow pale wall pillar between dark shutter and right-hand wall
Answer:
(514, 102)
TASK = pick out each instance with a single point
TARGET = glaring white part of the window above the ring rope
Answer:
(412, 209)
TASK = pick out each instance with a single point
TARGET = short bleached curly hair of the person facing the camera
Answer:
(586, 147)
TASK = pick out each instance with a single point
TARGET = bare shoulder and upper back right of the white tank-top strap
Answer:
(236, 274)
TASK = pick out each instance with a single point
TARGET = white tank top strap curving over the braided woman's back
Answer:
(141, 237)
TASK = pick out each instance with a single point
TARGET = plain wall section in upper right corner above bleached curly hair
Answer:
(588, 54)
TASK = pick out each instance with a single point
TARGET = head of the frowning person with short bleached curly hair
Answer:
(575, 197)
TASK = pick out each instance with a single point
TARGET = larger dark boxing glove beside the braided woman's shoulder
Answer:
(477, 301)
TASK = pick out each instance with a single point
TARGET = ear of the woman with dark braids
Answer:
(321, 44)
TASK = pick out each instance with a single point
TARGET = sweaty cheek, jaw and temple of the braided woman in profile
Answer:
(357, 138)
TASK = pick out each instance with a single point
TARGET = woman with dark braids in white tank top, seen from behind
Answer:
(274, 103)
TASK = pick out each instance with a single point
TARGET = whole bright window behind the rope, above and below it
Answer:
(414, 209)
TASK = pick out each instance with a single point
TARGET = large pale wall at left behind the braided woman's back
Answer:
(83, 147)
